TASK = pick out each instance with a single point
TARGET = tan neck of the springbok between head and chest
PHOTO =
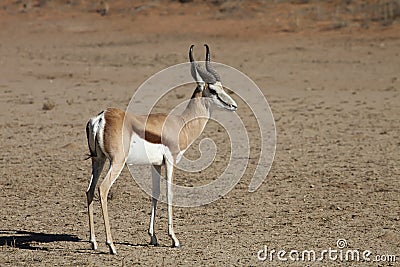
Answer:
(195, 116)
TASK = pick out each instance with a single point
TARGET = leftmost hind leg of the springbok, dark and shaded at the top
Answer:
(97, 167)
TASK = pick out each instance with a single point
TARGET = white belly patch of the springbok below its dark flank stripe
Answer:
(143, 152)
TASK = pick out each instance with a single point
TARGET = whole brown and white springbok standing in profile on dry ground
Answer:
(155, 139)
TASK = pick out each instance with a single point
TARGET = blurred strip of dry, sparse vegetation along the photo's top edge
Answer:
(299, 14)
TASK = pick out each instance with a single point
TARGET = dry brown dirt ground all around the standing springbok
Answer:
(335, 95)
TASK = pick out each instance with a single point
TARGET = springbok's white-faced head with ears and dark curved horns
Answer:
(209, 83)
